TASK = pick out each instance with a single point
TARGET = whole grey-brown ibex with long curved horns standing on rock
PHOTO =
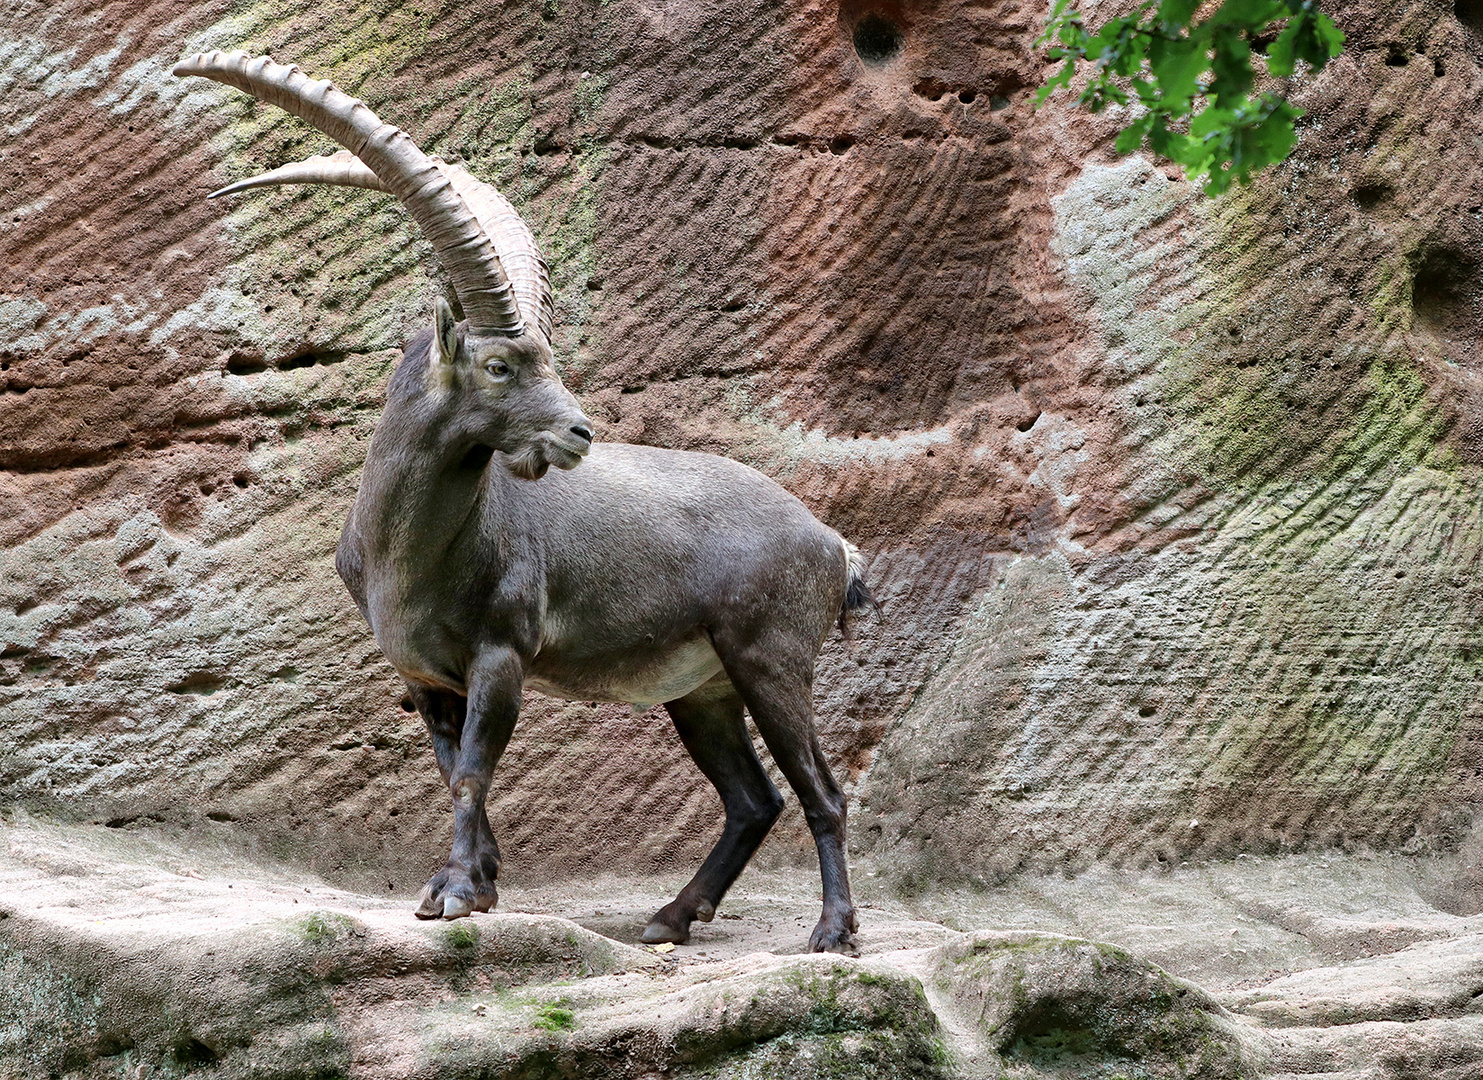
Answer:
(644, 576)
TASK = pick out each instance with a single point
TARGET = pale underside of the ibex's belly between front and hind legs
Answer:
(638, 680)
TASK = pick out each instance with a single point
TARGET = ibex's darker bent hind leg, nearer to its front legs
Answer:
(714, 732)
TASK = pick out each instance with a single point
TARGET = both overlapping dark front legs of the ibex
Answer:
(469, 740)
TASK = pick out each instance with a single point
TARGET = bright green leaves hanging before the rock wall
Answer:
(1195, 78)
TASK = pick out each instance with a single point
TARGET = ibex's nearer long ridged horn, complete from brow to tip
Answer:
(414, 179)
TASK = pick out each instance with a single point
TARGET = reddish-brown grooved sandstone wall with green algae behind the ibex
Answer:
(1172, 504)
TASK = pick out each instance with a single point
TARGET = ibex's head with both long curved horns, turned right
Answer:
(492, 381)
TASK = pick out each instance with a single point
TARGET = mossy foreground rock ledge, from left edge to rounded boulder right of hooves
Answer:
(180, 964)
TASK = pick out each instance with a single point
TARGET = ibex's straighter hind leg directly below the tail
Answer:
(773, 673)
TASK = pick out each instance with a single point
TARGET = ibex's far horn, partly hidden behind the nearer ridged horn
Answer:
(512, 238)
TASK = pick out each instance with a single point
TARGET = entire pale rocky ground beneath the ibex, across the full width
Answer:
(143, 955)
